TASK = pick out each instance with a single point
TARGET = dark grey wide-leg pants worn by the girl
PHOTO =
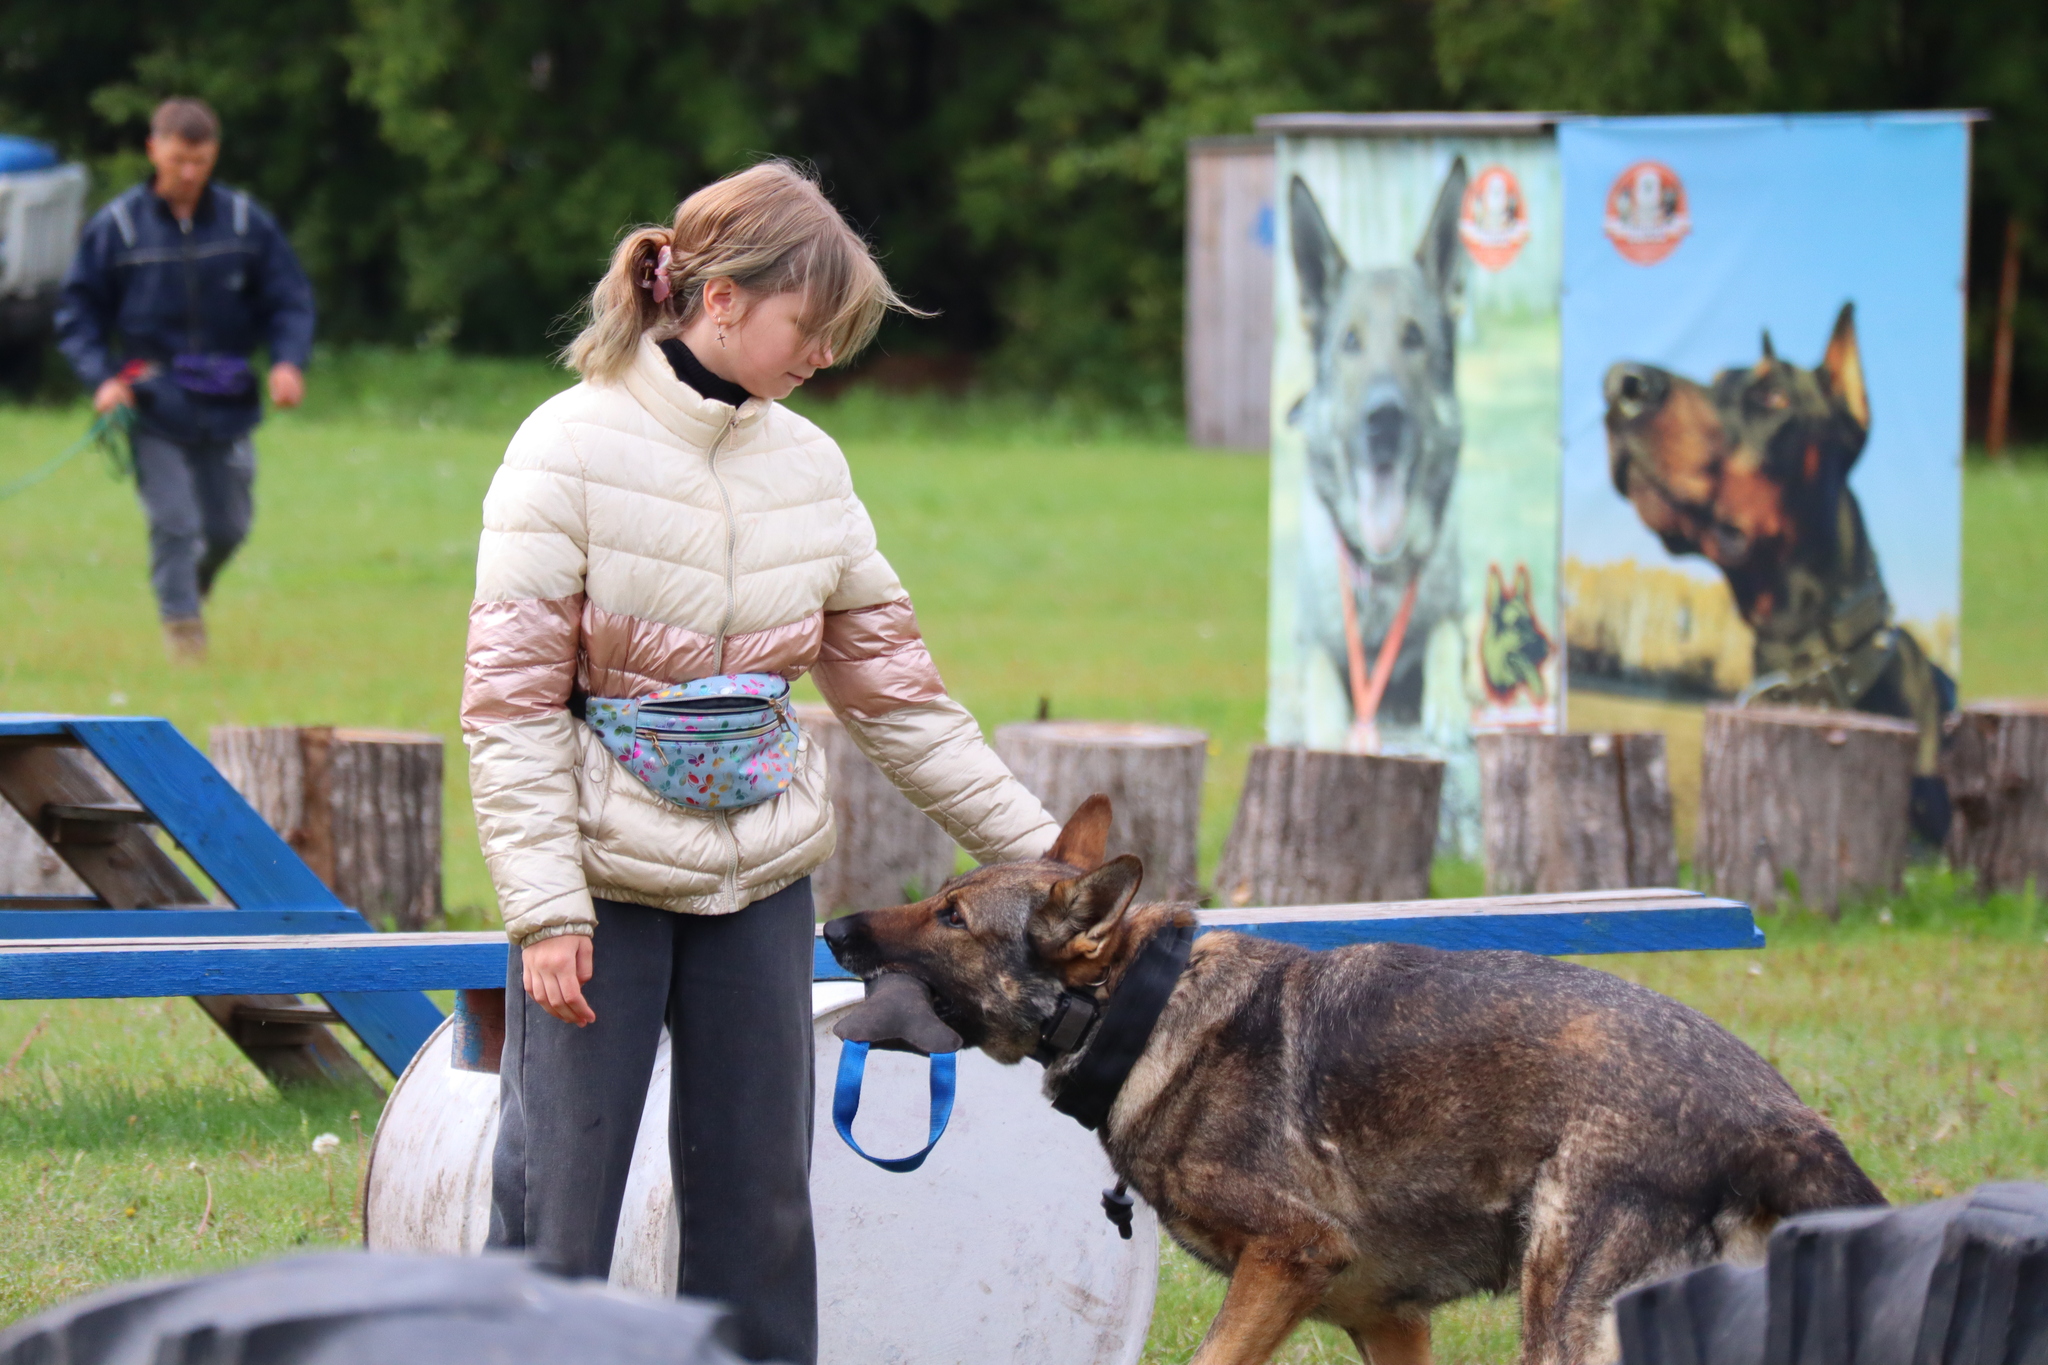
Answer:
(736, 994)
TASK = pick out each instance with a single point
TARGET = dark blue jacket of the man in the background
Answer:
(148, 288)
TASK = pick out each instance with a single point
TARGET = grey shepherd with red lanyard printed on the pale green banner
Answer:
(1383, 431)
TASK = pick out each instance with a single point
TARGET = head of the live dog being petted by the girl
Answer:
(998, 949)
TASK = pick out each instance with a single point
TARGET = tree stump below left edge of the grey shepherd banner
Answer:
(1320, 828)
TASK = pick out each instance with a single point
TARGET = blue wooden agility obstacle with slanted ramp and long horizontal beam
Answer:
(148, 930)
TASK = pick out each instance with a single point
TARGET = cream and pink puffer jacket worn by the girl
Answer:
(636, 537)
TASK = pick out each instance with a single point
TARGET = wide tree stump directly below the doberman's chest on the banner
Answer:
(1807, 797)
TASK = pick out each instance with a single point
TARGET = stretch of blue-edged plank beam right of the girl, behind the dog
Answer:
(1629, 922)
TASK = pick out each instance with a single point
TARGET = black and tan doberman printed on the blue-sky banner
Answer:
(1754, 474)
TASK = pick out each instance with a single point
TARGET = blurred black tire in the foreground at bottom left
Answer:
(357, 1309)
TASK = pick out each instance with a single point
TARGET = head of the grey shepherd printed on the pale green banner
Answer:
(1381, 421)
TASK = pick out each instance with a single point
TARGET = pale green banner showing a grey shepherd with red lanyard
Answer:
(1416, 449)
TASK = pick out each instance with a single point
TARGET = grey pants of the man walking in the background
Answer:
(198, 500)
